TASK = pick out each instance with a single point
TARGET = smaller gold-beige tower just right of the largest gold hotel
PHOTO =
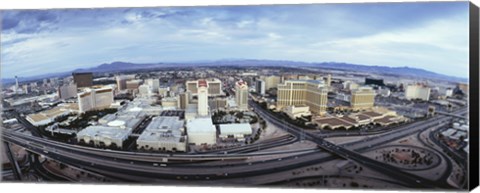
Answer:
(362, 98)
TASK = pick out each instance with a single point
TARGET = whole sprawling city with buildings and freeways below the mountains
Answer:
(302, 127)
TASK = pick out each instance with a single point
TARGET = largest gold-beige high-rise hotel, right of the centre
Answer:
(312, 93)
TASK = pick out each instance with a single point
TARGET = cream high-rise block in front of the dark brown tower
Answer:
(95, 99)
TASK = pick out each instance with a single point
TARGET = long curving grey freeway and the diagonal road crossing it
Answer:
(230, 167)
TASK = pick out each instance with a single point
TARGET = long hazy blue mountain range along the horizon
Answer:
(127, 66)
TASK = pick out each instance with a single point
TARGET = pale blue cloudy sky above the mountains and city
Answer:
(432, 36)
